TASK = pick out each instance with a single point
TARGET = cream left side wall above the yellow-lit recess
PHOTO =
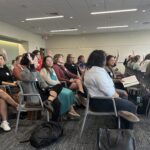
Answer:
(34, 41)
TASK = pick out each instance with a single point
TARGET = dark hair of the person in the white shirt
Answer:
(96, 58)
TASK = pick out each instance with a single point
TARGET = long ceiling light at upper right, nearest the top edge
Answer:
(113, 11)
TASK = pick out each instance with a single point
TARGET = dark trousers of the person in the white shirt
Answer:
(107, 106)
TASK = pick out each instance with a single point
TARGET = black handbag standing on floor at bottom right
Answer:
(111, 139)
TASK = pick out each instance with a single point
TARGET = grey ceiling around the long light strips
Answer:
(16, 11)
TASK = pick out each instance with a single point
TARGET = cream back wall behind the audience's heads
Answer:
(123, 42)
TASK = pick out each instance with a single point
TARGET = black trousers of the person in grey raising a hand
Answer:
(56, 104)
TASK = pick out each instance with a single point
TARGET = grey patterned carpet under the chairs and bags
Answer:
(71, 140)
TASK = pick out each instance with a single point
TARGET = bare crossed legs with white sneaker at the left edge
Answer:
(5, 98)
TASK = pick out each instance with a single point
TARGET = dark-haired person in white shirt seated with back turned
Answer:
(99, 83)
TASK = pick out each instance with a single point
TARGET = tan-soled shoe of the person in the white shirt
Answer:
(129, 116)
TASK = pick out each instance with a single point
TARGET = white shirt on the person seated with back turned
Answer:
(98, 82)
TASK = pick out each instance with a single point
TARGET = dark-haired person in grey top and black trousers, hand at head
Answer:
(33, 83)
